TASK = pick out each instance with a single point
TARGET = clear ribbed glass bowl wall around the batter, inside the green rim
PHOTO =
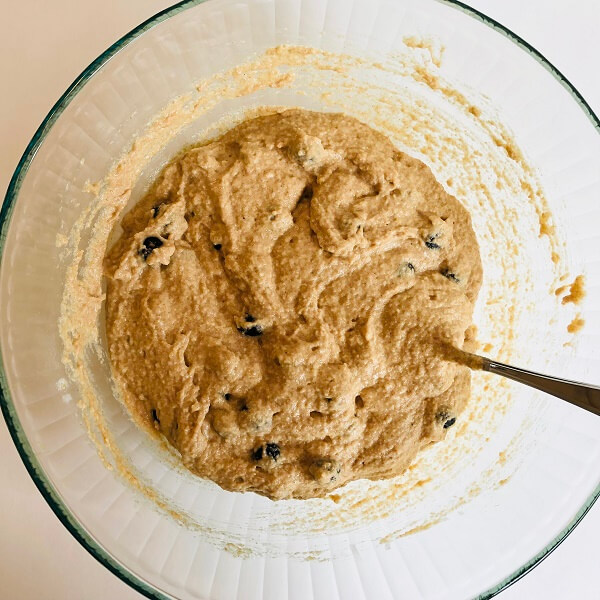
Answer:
(472, 535)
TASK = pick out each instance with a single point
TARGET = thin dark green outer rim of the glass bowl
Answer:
(37, 474)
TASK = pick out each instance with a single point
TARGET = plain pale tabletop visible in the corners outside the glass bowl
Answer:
(38, 557)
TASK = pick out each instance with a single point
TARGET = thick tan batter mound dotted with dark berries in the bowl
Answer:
(277, 303)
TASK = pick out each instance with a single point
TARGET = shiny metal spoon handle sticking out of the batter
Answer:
(580, 394)
